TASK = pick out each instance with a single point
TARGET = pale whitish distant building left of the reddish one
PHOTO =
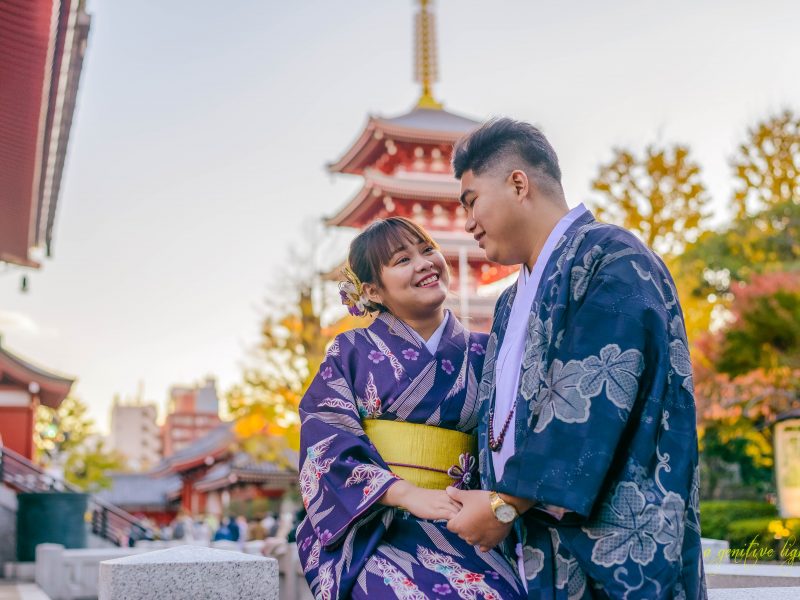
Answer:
(135, 434)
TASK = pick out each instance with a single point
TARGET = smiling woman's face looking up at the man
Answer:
(414, 282)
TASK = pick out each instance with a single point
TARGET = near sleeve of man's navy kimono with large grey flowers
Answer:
(582, 396)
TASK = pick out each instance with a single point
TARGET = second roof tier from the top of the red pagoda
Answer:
(376, 185)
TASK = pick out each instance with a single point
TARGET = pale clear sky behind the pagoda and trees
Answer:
(198, 150)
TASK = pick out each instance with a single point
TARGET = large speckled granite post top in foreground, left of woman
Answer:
(191, 573)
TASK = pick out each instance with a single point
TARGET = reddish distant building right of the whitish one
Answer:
(193, 412)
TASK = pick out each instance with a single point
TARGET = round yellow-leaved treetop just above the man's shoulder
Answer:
(659, 196)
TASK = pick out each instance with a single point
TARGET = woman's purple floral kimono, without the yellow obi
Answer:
(350, 545)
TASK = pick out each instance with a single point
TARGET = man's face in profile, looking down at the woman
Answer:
(492, 204)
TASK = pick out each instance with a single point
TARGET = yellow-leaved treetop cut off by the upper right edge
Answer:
(767, 168)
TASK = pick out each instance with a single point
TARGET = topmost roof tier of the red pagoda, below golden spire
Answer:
(421, 125)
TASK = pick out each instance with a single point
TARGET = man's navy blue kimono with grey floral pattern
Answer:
(605, 425)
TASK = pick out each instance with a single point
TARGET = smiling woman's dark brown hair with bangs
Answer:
(373, 248)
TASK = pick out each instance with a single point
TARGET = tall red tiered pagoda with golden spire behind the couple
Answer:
(405, 165)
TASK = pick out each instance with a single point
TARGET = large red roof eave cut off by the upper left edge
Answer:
(39, 71)
